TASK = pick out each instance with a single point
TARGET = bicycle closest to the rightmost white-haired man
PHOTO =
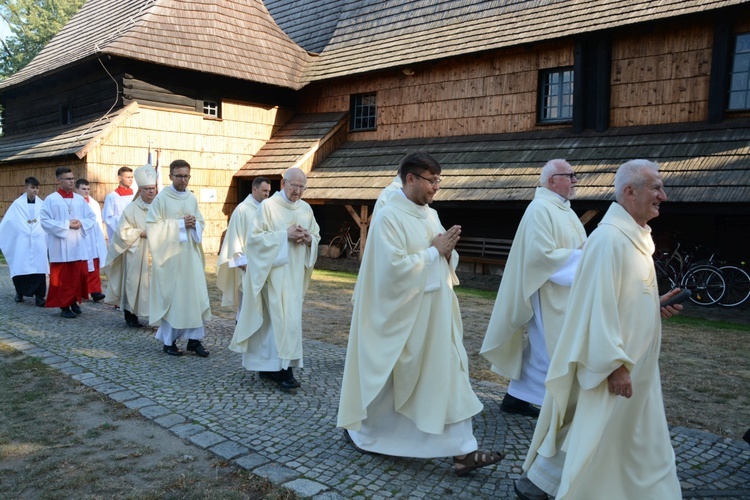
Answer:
(675, 269)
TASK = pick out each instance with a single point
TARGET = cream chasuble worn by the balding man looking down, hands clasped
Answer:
(278, 274)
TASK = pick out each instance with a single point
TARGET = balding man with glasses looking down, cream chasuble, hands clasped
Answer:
(281, 252)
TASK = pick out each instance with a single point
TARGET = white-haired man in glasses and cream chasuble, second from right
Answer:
(534, 290)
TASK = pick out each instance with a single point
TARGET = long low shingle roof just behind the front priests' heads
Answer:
(699, 163)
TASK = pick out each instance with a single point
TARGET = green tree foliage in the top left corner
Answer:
(32, 24)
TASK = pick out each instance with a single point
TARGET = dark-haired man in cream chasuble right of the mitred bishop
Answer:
(178, 296)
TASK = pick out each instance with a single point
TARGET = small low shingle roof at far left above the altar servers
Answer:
(75, 139)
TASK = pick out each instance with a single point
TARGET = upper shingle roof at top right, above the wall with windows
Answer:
(374, 34)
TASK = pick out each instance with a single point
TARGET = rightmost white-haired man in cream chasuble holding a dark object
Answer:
(602, 432)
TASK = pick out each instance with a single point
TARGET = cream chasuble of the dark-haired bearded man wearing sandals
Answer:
(406, 327)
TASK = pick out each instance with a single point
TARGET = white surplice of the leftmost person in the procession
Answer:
(22, 239)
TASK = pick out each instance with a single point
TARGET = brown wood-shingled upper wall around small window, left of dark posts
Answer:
(486, 94)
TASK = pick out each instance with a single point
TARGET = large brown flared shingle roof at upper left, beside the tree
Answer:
(235, 39)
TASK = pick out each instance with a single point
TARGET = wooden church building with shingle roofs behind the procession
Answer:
(343, 89)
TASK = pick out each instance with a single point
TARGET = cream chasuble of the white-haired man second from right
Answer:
(548, 236)
